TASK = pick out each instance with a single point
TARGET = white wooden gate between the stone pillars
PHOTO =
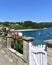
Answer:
(37, 55)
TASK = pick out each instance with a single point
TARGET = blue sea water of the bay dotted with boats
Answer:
(39, 35)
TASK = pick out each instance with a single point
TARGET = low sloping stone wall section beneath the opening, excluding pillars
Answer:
(15, 56)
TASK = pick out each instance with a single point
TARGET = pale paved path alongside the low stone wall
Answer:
(4, 59)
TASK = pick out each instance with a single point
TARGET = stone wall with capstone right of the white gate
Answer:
(49, 51)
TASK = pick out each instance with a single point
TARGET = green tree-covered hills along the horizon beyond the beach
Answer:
(27, 25)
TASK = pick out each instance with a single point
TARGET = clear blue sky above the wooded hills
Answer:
(23, 10)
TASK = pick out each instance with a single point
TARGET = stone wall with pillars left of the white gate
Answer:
(19, 59)
